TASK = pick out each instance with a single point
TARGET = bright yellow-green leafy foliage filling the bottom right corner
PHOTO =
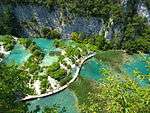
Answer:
(118, 94)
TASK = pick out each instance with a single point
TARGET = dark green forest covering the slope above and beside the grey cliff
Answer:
(134, 30)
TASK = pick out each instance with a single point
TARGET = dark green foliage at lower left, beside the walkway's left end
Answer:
(13, 85)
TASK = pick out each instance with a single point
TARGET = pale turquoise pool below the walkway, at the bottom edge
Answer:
(66, 99)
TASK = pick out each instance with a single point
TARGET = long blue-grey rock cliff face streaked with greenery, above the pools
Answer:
(38, 17)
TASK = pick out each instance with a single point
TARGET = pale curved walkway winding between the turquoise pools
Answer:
(78, 68)
